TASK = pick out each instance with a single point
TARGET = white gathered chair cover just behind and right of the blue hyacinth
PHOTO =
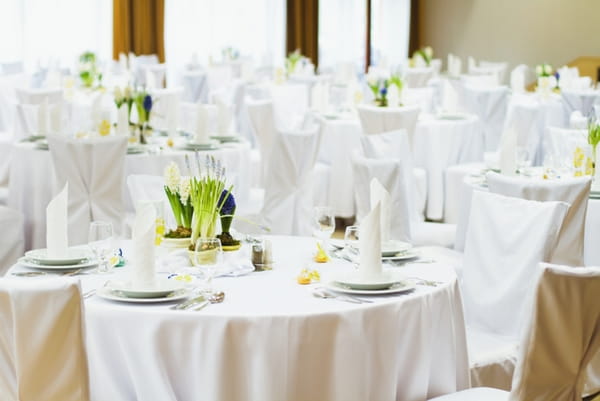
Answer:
(288, 204)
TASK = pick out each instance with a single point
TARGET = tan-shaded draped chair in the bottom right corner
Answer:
(561, 338)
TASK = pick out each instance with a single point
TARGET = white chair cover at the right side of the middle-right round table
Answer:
(489, 104)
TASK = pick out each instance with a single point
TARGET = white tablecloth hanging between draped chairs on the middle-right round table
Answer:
(440, 143)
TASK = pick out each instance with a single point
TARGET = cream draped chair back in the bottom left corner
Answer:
(42, 341)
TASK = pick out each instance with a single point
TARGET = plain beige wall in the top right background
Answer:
(517, 31)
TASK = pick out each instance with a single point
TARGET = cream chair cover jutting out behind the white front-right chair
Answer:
(574, 191)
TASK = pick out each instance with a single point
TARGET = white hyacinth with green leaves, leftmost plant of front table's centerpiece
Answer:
(177, 189)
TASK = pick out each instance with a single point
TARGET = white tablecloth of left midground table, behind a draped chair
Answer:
(32, 182)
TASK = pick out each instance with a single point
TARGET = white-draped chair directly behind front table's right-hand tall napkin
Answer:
(405, 225)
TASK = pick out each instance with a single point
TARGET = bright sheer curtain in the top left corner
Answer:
(54, 32)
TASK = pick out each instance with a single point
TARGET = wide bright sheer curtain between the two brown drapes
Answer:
(205, 27)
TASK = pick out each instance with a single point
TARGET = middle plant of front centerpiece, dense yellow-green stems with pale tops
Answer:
(206, 191)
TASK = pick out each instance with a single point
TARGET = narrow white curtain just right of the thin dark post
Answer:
(390, 27)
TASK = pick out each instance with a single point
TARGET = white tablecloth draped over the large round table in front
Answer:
(272, 340)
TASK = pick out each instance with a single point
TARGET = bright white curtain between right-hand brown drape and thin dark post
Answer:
(342, 32)
